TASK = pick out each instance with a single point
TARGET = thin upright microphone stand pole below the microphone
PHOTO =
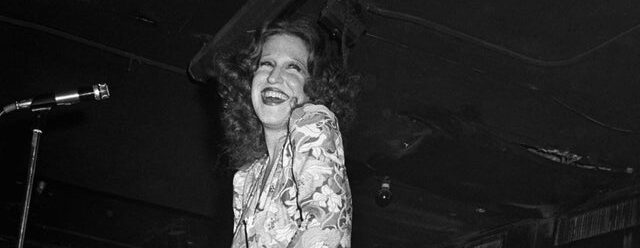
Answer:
(33, 158)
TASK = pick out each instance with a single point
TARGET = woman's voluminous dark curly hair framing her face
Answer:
(329, 84)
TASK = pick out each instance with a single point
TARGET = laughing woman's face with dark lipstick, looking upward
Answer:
(279, 79)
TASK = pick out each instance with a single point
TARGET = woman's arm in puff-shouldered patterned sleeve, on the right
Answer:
(324, 196)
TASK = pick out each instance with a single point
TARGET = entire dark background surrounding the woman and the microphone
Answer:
(455, 95)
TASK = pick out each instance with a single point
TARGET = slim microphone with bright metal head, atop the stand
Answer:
(96, 92)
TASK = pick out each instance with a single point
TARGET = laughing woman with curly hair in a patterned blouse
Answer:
(291, 187)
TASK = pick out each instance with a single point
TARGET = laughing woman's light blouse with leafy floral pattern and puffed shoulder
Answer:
(303, 199)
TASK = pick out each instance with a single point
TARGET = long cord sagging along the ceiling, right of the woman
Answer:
(463, 36)
